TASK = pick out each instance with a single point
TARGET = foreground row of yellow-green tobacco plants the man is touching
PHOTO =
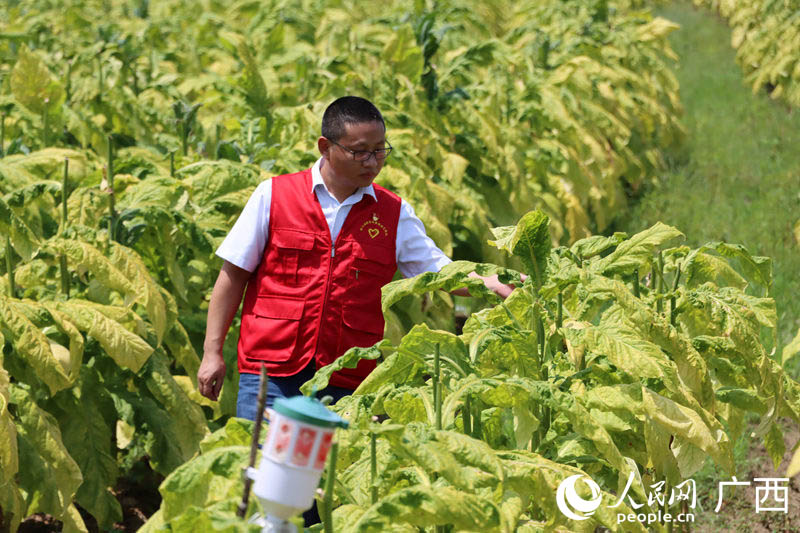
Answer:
(618, 355)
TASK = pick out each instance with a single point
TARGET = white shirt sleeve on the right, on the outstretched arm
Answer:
(416, 252)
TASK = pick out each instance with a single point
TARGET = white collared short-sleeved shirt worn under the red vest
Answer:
(244, 244)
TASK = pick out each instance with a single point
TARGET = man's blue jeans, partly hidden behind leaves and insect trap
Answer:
(278, 387)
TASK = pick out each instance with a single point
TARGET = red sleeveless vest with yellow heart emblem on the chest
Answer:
(310, 298)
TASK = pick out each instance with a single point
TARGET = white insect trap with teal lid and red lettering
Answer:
(294, 453)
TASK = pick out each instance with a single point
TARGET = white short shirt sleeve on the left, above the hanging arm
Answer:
(244, 244)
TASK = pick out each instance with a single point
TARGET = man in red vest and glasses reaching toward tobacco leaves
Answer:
(313, 250)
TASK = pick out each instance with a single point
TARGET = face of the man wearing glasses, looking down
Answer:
(362, 136)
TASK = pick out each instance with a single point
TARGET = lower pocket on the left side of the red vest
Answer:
(270, 332)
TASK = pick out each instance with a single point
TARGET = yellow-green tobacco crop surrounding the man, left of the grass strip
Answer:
(133, 133)
